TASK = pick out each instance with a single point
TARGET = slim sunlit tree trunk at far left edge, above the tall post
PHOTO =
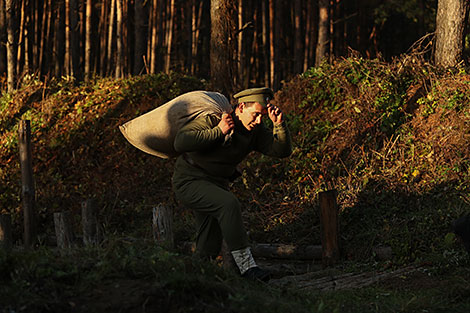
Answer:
(11, 58)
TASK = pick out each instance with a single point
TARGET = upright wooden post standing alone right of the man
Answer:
(329, 227)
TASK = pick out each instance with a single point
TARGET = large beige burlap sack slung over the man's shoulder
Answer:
(154, 132)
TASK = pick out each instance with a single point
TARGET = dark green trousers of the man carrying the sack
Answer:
(217, 213)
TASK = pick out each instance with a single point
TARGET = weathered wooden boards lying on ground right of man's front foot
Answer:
(320, 281)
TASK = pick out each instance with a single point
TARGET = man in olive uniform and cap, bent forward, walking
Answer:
(211, 147)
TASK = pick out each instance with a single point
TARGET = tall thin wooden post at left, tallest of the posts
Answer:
(27, 182)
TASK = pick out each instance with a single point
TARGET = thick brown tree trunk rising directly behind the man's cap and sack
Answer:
(220, 63)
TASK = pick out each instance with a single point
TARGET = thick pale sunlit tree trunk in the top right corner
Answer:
(450, 29)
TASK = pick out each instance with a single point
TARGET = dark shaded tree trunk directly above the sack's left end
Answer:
(140, 46)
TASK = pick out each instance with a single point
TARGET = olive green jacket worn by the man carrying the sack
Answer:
(207, 148)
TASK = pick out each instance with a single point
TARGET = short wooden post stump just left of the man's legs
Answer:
(163, 225)
